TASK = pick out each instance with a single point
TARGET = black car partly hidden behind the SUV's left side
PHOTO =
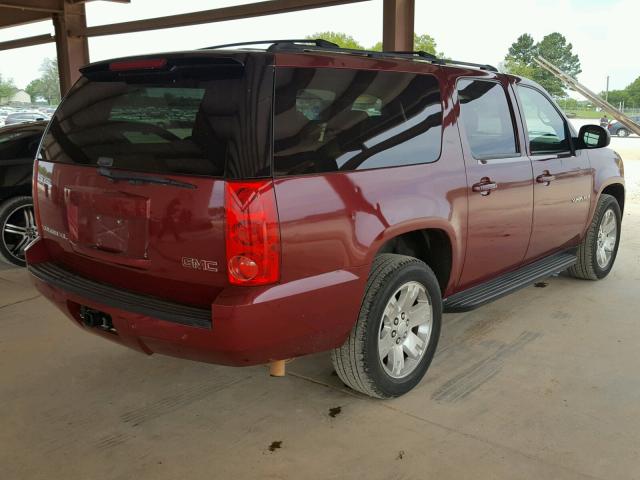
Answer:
(18, 146)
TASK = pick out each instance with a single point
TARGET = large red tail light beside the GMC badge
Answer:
(252, 233)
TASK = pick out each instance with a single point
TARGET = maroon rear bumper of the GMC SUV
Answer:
(249, 325)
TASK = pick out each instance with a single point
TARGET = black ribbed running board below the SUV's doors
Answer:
(509, 282)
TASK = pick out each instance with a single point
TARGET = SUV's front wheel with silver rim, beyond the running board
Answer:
(591, 264)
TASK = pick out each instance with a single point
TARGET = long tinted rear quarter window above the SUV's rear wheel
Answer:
(329, 120)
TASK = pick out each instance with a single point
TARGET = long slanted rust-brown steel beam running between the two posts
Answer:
(236, 12)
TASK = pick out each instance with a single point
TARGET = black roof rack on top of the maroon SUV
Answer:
(324, 45)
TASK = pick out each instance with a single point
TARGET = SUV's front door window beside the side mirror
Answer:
(546, 128)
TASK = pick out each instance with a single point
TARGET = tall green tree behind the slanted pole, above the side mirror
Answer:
(553, 47)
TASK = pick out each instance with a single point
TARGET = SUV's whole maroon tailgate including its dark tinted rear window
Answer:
(131, 175)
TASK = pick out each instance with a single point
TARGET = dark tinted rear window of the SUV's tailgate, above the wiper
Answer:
(213, 124)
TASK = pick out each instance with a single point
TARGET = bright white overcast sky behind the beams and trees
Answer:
(603, 32)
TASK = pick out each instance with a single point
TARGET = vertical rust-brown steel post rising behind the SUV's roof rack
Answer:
(398, 25)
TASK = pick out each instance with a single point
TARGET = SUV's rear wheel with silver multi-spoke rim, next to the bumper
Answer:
(395, 337)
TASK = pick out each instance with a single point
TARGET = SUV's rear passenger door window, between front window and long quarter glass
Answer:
(486, 119)
